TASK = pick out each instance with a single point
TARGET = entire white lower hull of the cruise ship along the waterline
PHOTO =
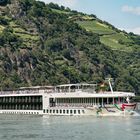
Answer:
(112, 111)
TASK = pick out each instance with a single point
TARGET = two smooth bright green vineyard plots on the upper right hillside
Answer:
(108, 36)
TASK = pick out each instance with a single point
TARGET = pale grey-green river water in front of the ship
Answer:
(20, 127)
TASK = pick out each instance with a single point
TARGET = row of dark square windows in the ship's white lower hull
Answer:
(63, 111)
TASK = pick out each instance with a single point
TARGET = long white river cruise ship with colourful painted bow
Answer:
(68, 99)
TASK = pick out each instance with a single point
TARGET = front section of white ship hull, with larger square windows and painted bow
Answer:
(92, 111)
